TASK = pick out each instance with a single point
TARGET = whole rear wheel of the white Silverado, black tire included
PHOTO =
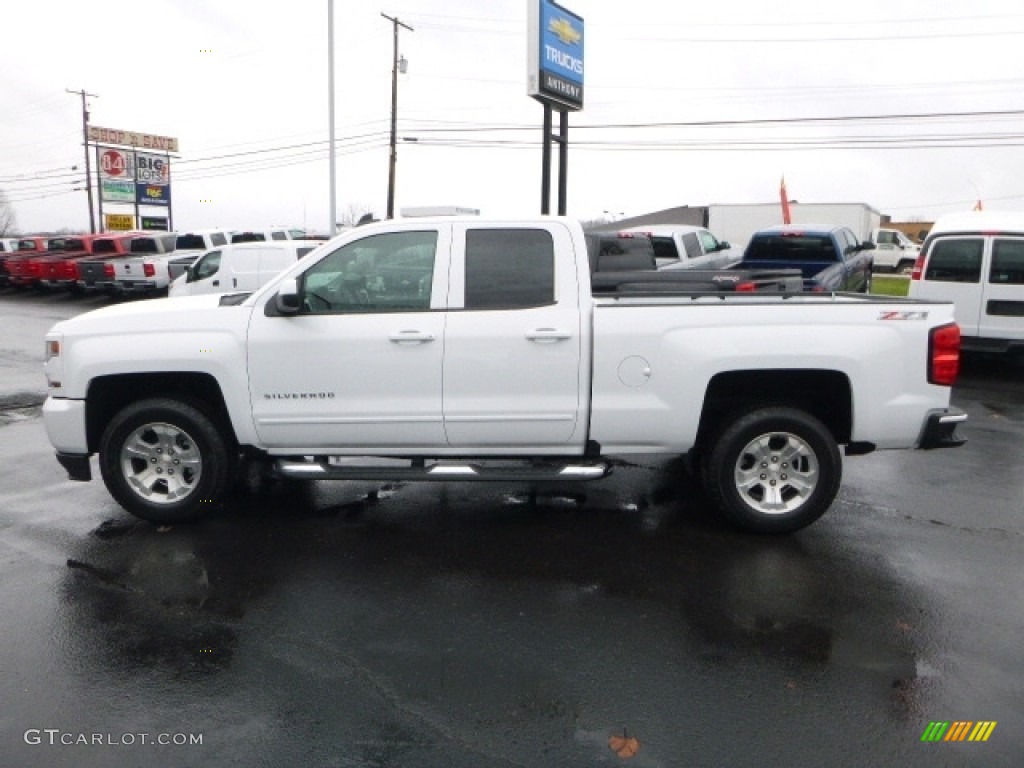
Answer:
(774, 471)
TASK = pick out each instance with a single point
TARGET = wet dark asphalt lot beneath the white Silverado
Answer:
(448, 625)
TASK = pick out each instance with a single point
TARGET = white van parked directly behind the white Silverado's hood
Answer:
(241, 267)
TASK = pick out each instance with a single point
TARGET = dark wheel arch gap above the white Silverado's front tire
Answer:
(109, 395)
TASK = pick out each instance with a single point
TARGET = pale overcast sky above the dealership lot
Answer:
(674, 93)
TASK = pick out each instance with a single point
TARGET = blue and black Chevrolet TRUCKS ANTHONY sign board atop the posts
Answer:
(556, 61)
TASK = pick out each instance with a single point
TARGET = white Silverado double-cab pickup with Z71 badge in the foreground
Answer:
(468, 350)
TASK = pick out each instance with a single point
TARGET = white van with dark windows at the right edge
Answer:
(976, 261)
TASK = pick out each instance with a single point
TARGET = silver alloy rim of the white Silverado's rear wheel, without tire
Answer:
(776, 474)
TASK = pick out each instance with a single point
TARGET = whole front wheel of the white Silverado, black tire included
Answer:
(165, 461)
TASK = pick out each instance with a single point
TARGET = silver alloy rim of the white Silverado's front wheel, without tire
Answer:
(161, 463)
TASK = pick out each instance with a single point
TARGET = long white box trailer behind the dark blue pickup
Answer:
(738, 223)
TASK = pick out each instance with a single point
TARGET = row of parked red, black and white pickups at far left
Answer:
(135, 263)
